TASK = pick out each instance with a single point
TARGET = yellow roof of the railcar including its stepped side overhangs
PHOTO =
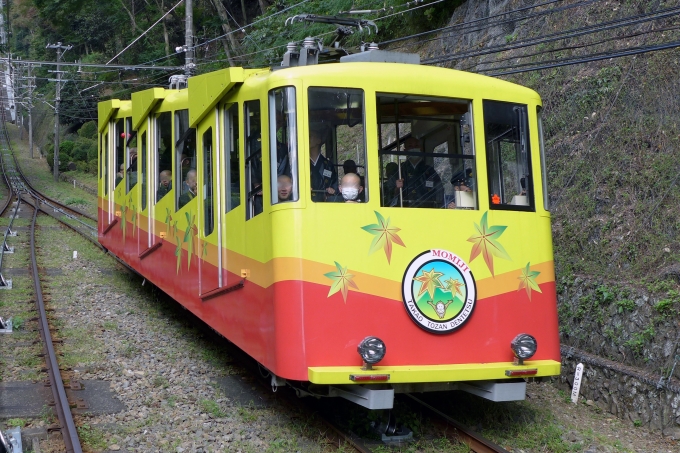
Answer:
(208, 89)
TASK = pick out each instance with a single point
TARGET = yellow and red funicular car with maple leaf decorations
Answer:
(359, 228)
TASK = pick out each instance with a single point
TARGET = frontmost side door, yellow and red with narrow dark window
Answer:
(210, 241)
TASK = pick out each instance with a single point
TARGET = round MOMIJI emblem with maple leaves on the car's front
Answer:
(439, 291)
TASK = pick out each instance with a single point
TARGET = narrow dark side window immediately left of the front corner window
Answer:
(253, 161)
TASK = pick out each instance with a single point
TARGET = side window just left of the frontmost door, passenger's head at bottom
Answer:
(185, 159)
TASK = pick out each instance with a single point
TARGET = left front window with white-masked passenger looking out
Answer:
(337, 143)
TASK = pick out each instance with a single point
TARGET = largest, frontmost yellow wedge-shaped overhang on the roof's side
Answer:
(206, 90)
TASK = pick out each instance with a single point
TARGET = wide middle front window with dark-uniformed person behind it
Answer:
(426, 152)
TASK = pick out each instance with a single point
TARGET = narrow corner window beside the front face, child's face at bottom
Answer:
(283, 145)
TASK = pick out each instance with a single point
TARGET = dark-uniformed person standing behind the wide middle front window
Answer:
(421, 186)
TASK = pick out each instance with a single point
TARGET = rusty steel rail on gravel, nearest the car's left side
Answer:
(67, 425)
